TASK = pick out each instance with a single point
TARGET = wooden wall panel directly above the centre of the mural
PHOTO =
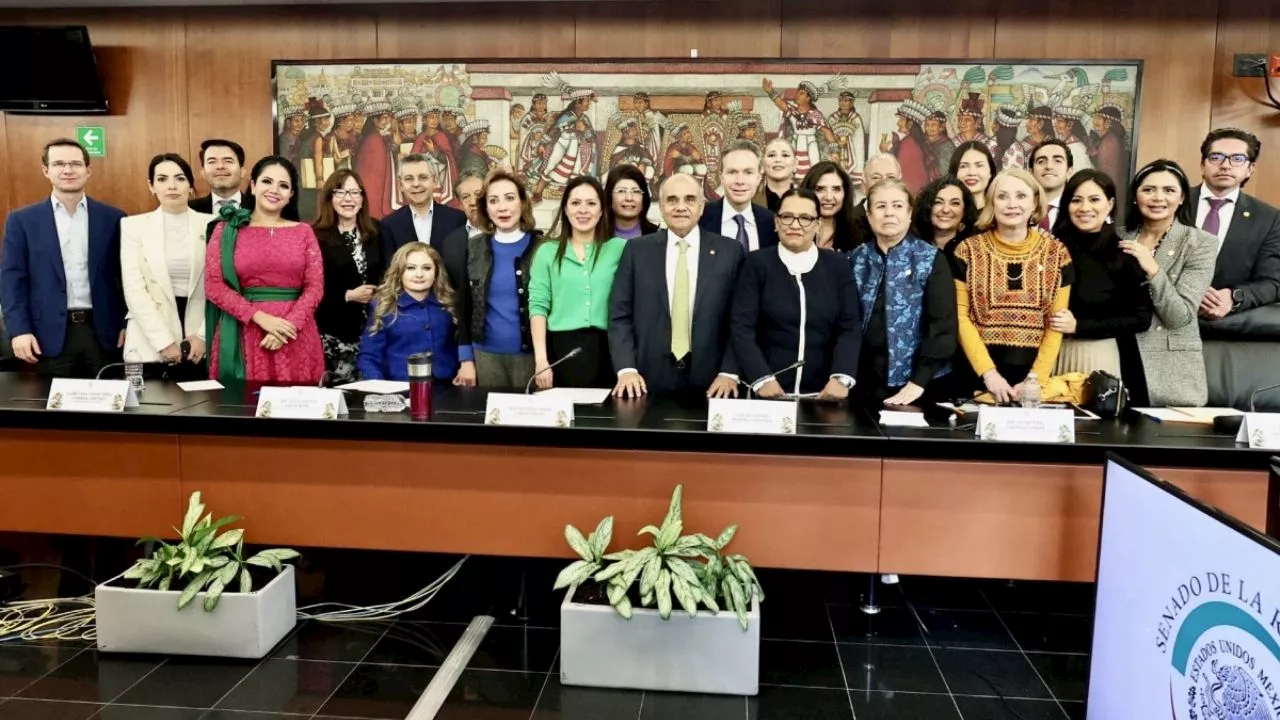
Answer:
(719, 29)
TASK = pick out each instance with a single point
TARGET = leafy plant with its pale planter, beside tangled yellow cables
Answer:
(148, 608)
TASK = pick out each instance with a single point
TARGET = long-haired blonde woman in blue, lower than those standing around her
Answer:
(413, 312)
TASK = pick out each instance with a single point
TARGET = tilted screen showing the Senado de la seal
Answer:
(1187, 619)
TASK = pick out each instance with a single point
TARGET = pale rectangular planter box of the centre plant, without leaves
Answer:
(708, 654)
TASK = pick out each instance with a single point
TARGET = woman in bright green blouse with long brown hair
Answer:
(569, 291)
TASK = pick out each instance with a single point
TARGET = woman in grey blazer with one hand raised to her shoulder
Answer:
(1178, 261)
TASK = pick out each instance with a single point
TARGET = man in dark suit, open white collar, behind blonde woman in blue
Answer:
(423, 220)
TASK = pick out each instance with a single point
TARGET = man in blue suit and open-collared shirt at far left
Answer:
(61, 274)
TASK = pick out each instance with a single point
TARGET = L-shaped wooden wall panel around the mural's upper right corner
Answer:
(1176, 39)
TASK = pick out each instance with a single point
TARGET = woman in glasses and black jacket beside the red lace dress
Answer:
(354, 268)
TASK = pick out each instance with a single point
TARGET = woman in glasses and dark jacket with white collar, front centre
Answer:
(812, 312)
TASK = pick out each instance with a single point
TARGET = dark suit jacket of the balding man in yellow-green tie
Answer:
(641, 312)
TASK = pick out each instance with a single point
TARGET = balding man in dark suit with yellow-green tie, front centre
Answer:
(670, 306)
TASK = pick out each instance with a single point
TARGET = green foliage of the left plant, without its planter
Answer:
(204, 559)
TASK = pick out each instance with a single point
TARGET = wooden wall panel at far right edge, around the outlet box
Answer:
(1250, 26)
